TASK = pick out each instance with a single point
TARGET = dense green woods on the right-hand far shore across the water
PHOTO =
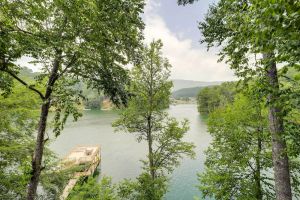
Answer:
(212, 97)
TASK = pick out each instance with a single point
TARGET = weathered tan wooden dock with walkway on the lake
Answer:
(80, 155)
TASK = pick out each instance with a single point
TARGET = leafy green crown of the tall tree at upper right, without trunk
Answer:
(238, 25)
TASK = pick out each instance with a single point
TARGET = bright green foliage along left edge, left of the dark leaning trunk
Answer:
(19, 114)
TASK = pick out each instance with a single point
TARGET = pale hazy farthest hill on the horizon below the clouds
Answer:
(181, 84)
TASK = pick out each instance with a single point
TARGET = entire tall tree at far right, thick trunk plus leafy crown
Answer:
(244, 29)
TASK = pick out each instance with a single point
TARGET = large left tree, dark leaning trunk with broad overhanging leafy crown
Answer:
(72, 40)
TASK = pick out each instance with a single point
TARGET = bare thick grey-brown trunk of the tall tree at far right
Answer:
(279, 150)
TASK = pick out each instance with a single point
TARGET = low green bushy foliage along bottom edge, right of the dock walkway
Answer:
(125, 190)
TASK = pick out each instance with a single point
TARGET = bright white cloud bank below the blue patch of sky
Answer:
(188, 62)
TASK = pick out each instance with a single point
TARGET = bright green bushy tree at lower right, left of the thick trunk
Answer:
(239, 155)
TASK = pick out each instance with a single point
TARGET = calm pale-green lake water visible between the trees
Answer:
(121, 153)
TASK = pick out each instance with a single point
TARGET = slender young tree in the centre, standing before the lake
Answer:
(146, 117)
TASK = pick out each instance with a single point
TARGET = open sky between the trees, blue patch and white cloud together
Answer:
(177, 27)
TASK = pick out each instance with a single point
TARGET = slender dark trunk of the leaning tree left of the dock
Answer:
(39, 147)
